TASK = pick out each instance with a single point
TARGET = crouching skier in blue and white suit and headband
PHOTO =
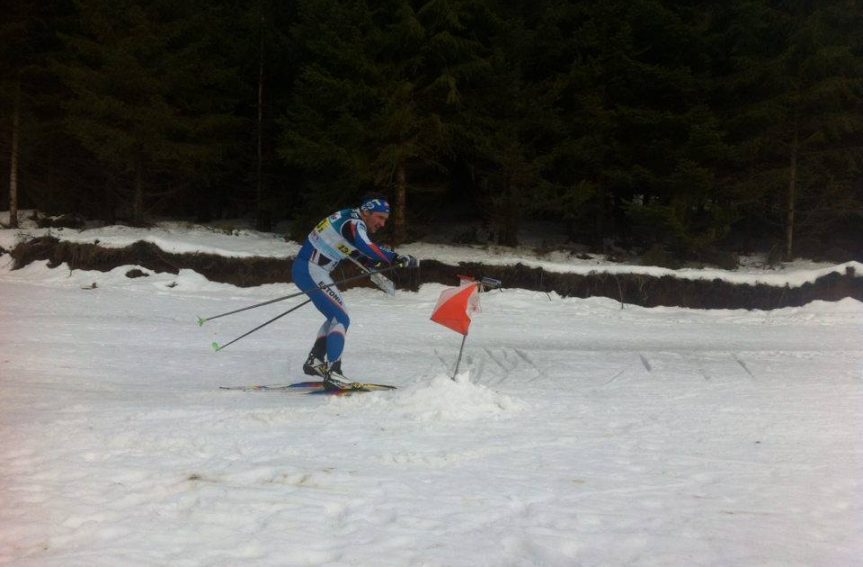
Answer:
(342, 234)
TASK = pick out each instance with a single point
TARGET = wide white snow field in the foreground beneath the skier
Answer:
(577, 432)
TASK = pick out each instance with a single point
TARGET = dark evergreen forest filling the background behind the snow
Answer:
(687, 128)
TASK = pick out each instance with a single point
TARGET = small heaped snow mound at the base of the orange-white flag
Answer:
(443, 399)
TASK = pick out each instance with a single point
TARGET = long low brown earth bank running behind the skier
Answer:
(638, 289)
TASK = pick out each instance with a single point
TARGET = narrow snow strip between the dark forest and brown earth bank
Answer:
(182, 237)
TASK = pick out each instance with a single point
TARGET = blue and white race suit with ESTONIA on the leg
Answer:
(342, 234)
